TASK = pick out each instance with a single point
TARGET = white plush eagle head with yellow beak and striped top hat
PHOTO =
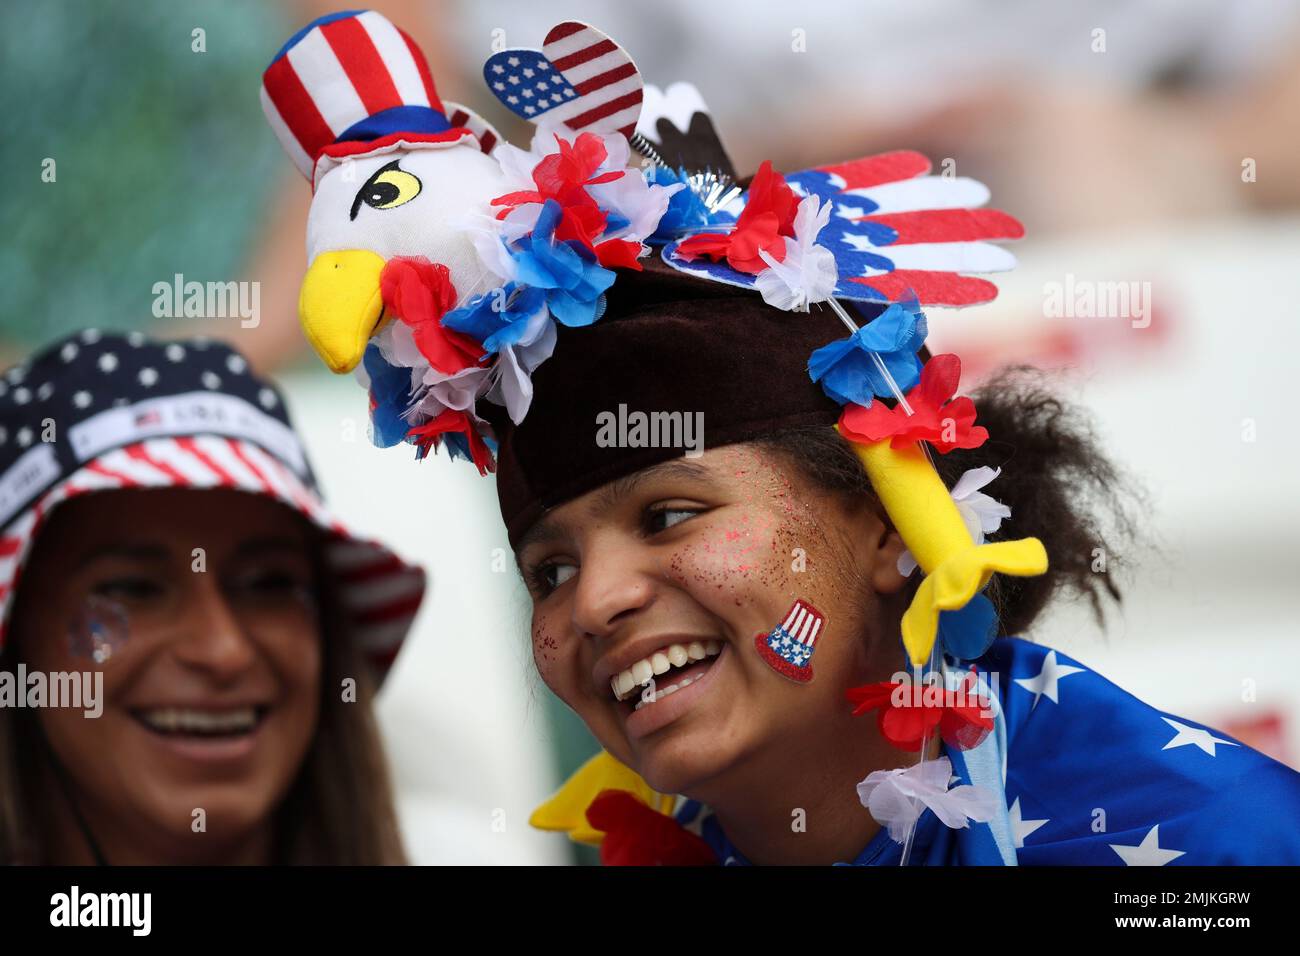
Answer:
(395, 170)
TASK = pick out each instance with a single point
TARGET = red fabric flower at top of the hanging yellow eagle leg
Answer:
(946, 425)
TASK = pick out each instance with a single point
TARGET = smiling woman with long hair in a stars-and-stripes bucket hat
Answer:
(183, 556)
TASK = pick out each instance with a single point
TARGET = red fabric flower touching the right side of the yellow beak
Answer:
(421, 293)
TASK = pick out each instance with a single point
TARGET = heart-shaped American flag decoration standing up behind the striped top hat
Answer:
(580, 79)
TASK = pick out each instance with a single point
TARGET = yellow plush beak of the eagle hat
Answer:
(340, 306)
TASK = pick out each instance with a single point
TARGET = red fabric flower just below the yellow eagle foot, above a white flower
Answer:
(909, 712)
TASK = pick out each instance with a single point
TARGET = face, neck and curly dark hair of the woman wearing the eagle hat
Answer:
(697, 557)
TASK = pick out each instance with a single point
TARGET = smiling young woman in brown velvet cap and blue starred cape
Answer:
(716, 620)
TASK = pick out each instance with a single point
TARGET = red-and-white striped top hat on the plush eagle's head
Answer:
(352, 84)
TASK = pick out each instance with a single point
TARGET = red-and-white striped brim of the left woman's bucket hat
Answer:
(378, 591)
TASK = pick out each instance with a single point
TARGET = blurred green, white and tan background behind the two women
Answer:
(1151, 148)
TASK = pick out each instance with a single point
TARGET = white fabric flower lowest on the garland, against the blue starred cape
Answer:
(896, 798)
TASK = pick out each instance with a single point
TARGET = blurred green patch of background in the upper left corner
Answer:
(163, 159)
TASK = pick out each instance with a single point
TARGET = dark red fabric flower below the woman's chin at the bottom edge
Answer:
(638, 836)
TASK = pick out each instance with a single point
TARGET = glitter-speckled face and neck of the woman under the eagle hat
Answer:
(674, 573)
